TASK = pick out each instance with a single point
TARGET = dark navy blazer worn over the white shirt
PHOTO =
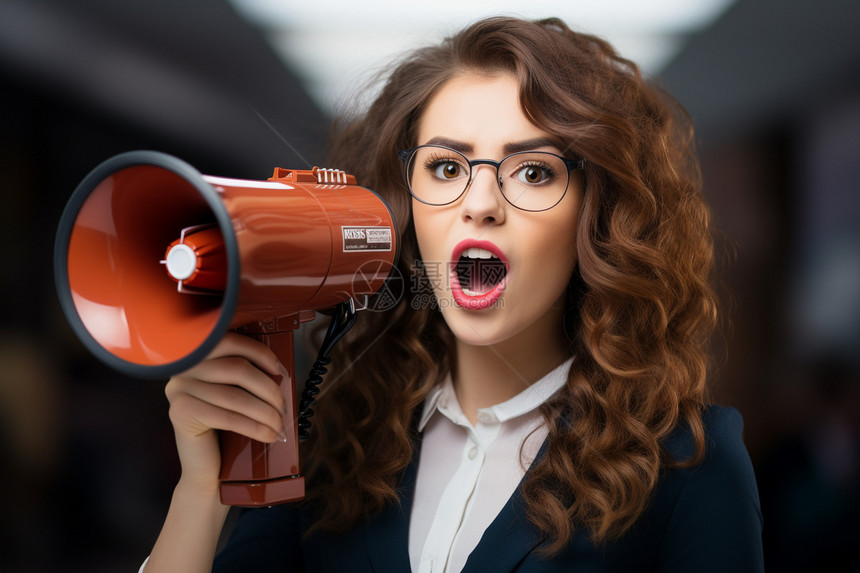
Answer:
(702, 519)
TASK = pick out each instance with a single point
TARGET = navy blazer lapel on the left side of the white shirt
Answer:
(387, 534)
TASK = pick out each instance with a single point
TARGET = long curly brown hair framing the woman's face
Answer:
(640, 308)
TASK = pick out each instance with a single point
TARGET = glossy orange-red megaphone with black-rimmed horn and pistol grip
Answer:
(154, 262)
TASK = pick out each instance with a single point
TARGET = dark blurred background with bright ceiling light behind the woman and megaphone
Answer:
(87, 461)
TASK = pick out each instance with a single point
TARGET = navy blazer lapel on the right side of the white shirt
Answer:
(508, 539)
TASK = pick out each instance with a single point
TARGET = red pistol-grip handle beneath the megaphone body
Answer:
(254, 473)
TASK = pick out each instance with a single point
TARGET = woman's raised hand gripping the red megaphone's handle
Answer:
(232, 389)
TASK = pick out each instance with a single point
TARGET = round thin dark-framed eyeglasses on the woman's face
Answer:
(528, 180)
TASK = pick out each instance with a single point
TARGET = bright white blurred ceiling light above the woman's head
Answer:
(337, 46)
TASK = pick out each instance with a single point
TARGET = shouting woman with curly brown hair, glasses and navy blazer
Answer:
(545, 408)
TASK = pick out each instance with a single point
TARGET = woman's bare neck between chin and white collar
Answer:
(488, 375)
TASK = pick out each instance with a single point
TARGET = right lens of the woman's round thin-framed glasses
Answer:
(533, 180)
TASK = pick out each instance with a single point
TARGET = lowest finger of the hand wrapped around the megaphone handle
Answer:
(199, 416)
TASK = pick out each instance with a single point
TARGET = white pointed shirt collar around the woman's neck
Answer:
(444, 400)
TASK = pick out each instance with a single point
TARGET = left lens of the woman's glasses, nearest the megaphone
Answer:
(437, 175)
